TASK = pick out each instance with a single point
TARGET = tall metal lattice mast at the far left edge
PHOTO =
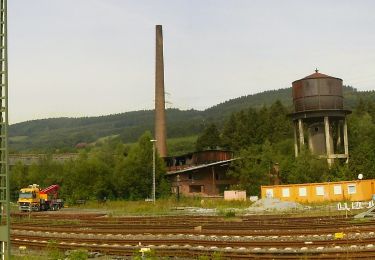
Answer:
(4, 167)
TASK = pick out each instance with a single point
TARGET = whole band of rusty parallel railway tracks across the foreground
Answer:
(188, 236)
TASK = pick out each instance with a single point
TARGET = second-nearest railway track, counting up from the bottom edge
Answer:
(221, 241)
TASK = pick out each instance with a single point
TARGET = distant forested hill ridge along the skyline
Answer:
(64, 133)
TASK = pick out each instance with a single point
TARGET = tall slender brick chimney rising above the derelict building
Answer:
(160, 122)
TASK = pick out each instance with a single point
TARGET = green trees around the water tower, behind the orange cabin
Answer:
(264, 137)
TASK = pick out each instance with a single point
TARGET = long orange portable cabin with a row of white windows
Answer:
(358, 190)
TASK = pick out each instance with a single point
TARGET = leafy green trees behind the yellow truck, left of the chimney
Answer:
(111, 171)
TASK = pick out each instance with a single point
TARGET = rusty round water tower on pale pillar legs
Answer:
(319, 117)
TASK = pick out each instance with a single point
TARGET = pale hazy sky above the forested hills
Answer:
(77, 58)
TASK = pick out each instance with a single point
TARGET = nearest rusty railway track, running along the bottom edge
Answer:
(193, 252)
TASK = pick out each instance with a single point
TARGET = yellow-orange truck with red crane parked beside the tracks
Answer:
(33, 198)
